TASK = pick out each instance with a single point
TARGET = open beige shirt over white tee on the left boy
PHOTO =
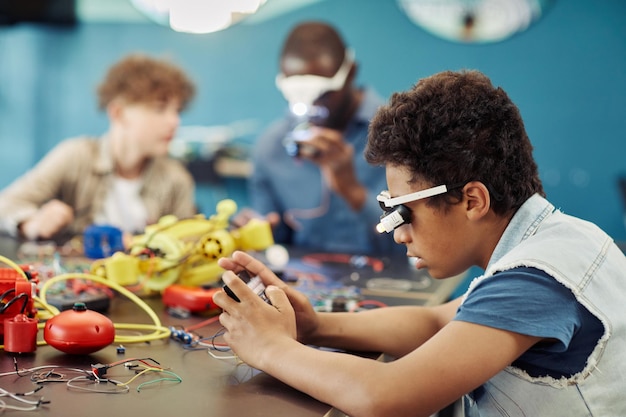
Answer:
(78, 172)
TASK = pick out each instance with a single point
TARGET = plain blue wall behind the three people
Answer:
(567, 73)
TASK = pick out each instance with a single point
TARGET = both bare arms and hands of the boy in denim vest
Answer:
(439, 359)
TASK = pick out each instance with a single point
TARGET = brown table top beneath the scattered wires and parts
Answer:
(210, 386)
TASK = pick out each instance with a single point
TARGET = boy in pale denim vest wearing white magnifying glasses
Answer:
(541, 333)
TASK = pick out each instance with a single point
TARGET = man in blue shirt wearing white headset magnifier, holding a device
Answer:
(310, 178)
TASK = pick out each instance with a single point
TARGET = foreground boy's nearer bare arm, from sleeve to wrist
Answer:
(459, 358)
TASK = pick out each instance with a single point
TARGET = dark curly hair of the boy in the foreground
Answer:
(456, 127)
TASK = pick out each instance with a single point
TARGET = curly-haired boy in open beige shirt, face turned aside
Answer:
(124, 178)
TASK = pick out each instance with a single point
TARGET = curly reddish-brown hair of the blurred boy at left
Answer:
(138, 78)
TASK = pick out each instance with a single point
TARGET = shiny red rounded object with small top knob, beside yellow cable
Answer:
(79, 331)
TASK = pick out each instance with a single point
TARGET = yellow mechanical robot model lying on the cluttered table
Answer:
(183, 251)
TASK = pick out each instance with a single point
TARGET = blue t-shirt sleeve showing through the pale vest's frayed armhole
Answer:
(529, 301)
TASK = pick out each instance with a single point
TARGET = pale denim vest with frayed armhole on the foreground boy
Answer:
(583, 258)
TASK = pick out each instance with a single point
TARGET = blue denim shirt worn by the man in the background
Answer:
(321, 220)
